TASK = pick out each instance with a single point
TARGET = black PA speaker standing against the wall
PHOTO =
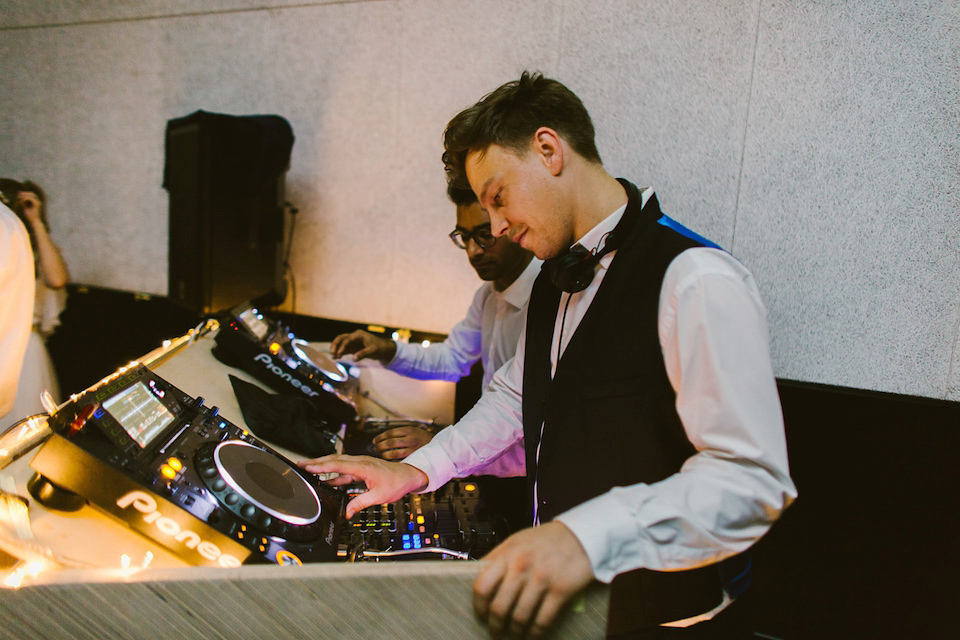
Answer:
(225, 178)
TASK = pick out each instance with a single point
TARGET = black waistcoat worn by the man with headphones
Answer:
(609, 416)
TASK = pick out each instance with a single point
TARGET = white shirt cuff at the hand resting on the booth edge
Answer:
(602, 526)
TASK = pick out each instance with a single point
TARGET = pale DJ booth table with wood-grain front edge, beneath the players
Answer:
(82, 575)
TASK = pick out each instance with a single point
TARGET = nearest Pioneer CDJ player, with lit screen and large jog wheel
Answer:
(159, 461)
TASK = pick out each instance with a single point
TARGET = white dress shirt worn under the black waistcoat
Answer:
(713, 334)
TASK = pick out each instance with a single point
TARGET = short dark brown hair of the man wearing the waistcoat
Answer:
(510, 115)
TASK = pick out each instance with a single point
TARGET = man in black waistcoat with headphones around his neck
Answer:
(642, 389)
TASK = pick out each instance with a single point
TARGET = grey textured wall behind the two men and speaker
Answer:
(818, 140)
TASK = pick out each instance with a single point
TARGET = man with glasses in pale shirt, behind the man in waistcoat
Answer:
(489, 333)
